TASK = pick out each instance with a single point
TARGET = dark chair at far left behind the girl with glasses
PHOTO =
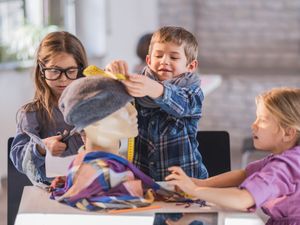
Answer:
(15, 184)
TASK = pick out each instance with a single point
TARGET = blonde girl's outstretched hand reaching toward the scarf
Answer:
(179, 179)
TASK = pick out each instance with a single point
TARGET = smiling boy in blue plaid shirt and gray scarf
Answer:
(169, 101)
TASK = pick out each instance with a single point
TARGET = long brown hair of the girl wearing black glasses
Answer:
(52, 45)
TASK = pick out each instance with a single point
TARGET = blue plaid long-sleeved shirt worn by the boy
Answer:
(167, 134)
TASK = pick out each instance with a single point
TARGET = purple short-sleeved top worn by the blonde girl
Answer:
(274, 183)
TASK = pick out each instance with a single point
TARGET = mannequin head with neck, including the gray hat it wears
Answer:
(101, 108)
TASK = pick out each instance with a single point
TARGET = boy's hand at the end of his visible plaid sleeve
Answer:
(140, 86)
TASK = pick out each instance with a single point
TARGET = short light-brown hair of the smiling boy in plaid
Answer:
(179, 36)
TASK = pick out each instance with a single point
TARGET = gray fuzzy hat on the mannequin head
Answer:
(90, 99)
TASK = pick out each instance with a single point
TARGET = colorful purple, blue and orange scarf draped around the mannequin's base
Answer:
(100, 180)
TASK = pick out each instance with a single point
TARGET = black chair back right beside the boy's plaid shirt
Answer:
(214, 147)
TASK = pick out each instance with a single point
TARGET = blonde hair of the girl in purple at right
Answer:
(284, 105)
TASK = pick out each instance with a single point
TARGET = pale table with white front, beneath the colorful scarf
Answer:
(37, 209)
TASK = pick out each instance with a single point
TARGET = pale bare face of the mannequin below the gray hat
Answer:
(120, 124)
